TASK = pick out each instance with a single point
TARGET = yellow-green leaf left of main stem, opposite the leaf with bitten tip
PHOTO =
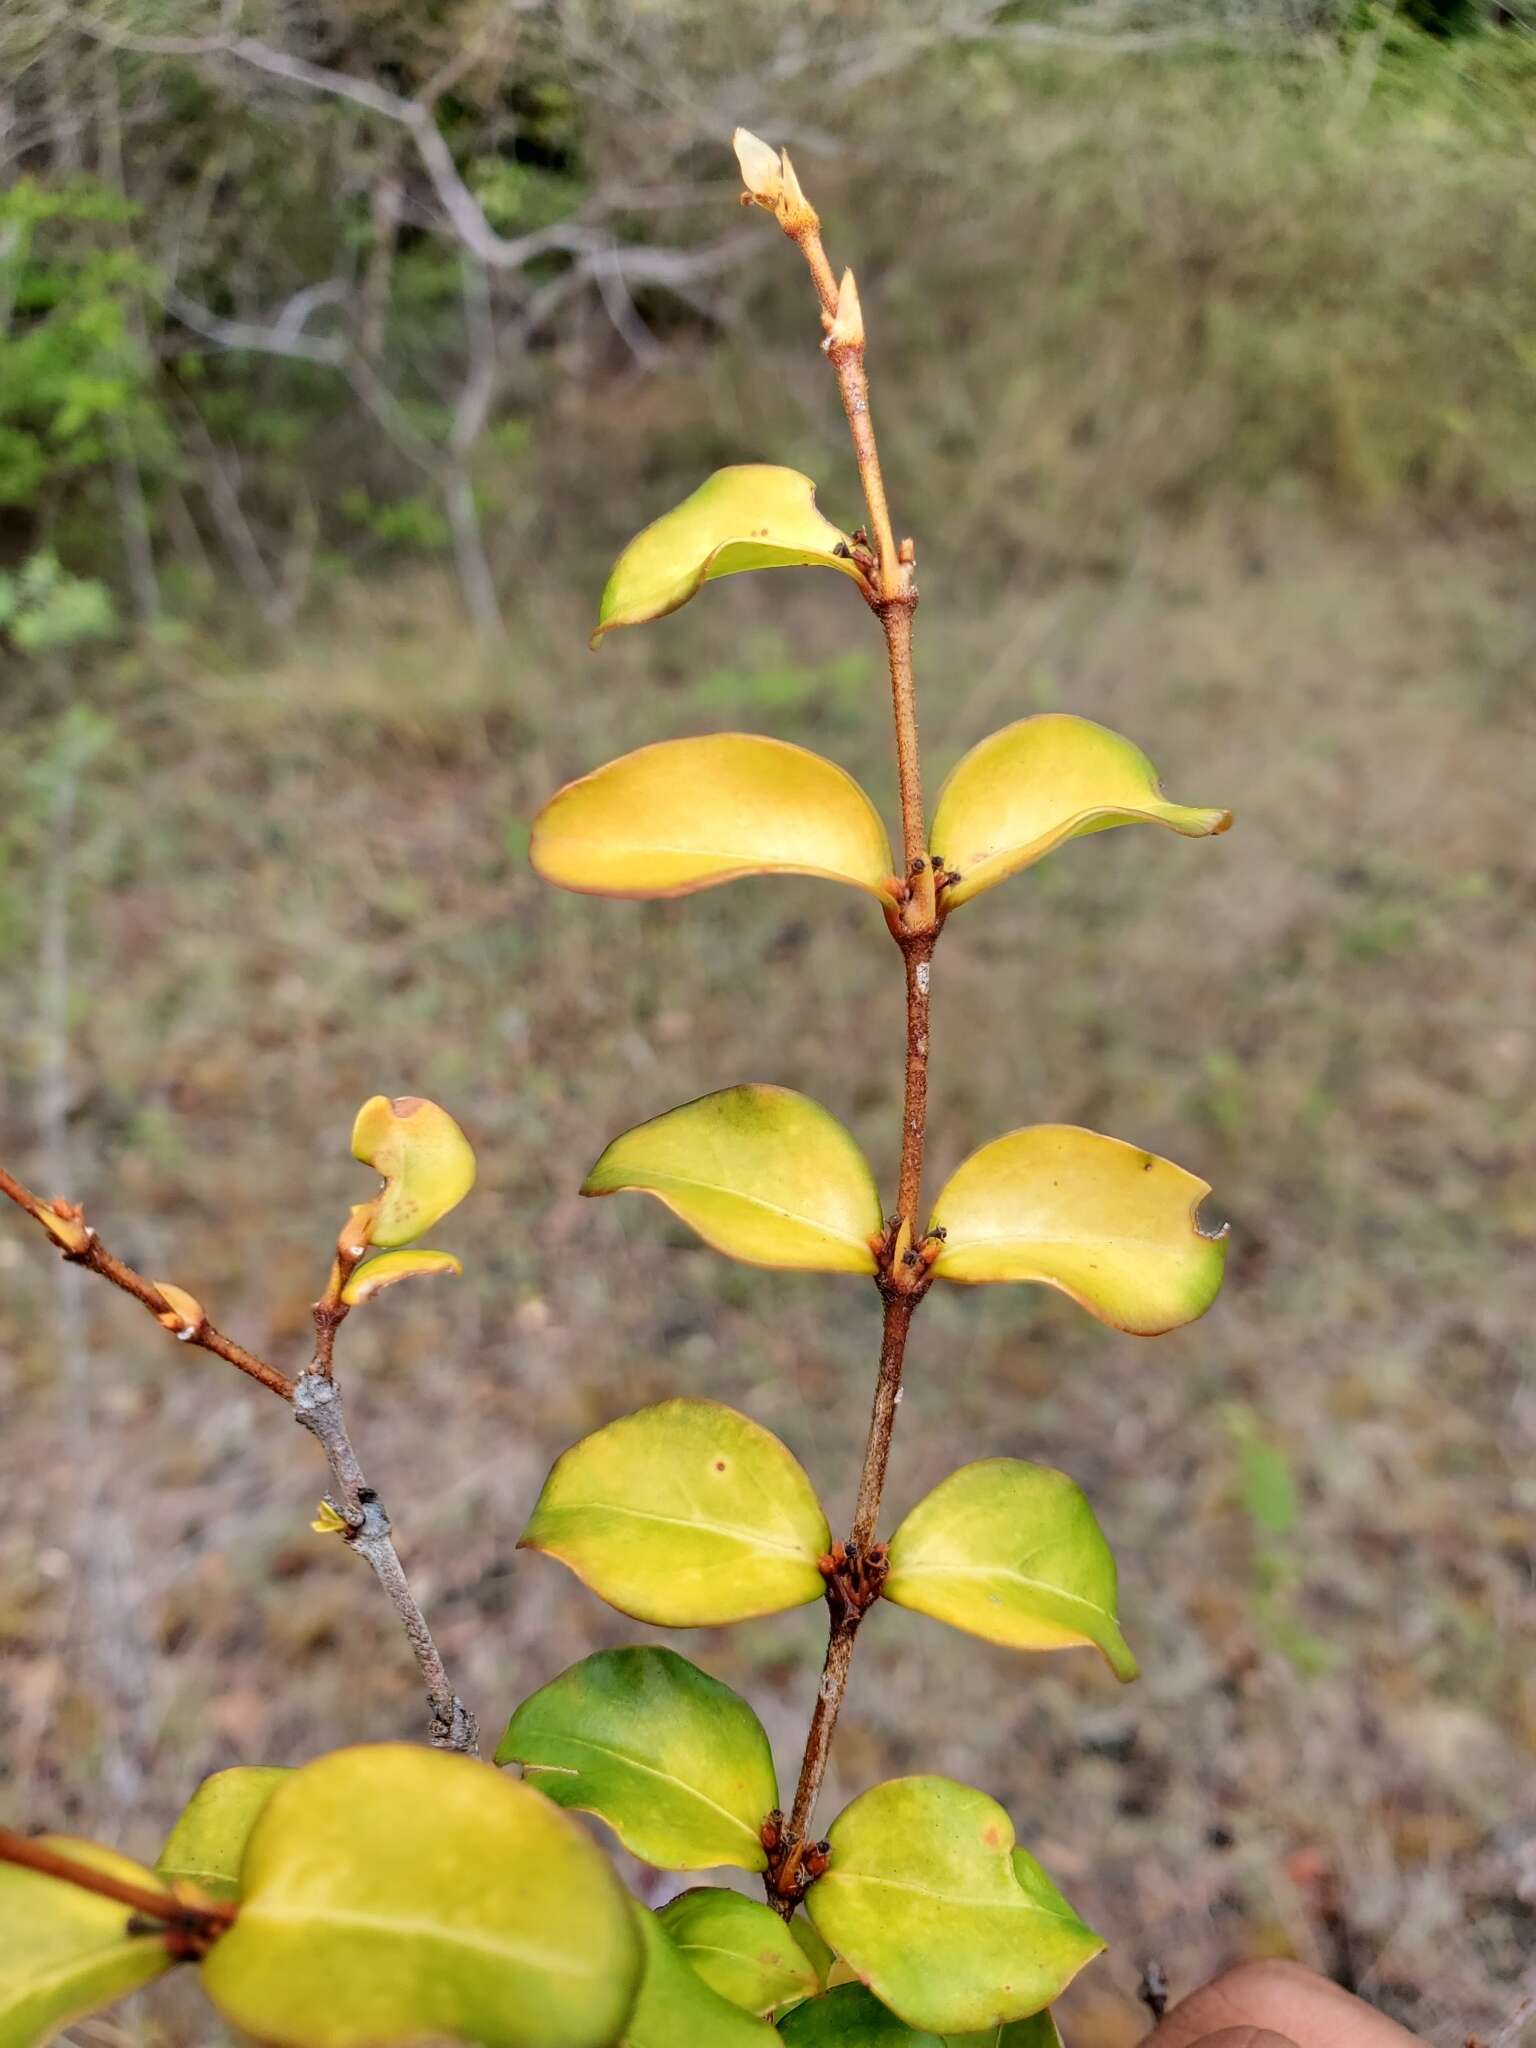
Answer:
(761, 1172)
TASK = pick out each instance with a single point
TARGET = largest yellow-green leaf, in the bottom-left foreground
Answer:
(396, 1893)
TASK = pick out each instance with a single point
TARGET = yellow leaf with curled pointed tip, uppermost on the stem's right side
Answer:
(1023, 792)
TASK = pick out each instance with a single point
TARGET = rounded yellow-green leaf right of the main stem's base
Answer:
(933, 1908)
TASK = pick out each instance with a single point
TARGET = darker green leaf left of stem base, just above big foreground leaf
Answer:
(675, 1762)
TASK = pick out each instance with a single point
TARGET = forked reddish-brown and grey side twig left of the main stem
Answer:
(316, 1406)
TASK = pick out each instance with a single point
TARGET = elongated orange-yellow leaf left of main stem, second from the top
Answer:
(689, 814)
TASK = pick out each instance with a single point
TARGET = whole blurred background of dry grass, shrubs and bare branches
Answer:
(343, 343)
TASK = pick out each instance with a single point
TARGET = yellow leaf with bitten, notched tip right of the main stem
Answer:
(1107, 1224)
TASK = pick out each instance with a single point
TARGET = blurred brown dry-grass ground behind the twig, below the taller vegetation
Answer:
(1326, 1015)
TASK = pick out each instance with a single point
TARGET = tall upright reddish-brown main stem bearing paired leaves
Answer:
(857, 1572)
